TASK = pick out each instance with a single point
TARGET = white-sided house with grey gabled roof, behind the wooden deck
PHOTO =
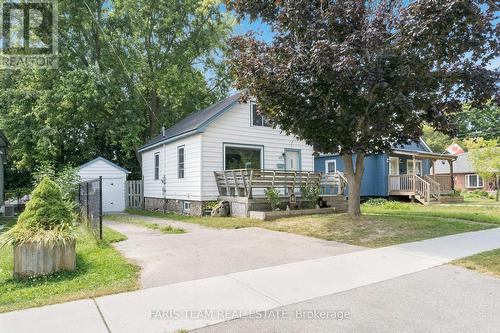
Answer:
(178, 165)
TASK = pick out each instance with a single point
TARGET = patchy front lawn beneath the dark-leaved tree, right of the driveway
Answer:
(379, 226)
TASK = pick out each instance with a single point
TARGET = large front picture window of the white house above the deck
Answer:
(242, 157)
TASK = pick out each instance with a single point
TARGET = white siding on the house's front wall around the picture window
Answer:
(235, 127)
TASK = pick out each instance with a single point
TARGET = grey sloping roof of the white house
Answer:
(194, 123)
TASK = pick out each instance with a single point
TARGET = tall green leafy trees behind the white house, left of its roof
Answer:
(126, 68)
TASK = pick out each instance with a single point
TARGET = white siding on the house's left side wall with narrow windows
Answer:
(187, 188)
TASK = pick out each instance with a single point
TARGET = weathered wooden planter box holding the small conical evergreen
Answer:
(31, 259)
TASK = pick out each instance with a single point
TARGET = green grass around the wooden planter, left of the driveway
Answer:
(101, 270)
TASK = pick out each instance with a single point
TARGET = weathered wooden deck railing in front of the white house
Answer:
(242, 182)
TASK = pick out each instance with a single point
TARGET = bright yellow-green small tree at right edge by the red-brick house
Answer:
(485, 156)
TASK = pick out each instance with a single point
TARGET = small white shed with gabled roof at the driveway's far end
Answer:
(114, 178)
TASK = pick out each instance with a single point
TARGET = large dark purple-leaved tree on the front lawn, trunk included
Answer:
(356, 77)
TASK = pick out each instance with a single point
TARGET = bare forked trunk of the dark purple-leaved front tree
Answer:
(354, 175)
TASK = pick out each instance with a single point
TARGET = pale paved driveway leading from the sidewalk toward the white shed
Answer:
(203, 252)
